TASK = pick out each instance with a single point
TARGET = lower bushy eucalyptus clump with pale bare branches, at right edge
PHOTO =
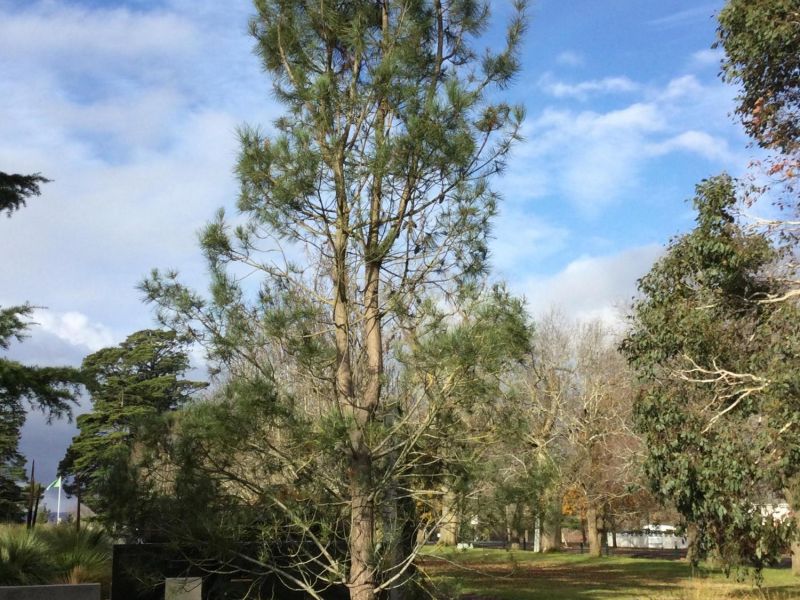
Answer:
(718, 364)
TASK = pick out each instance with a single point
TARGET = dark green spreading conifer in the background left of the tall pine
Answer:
(132, 387)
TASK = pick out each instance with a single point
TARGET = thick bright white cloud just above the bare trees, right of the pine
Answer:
(592, 287)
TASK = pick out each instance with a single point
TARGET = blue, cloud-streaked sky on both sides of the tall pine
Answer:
(131, 109)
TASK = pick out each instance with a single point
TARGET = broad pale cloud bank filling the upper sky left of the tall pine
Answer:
(134, 120)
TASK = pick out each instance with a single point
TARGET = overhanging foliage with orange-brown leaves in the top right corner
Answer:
(760, 40)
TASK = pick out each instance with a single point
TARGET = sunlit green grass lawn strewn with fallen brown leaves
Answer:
(499, 575)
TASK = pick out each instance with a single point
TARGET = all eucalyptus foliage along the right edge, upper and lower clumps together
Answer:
(715, 333)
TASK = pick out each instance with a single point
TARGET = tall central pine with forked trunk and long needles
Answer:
(364, 211)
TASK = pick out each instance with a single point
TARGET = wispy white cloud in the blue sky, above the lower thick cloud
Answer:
(595, 159)
